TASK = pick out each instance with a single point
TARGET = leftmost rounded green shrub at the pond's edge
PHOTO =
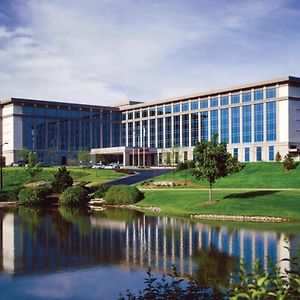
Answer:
(34, 196)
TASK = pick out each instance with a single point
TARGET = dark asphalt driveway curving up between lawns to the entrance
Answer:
(142, 174)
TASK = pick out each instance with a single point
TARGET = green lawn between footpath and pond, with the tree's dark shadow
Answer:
(256, 203)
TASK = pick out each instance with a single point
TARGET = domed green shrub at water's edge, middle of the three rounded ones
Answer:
(74, 196)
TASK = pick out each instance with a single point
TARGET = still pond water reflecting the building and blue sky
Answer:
(71, 254)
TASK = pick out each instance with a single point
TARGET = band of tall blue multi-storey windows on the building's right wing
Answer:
(243, 130)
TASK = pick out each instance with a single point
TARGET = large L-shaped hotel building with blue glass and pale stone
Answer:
(255, 120)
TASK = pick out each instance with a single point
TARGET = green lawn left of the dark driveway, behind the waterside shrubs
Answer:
(16, 176)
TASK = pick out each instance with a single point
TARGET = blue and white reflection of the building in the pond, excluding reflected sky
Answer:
(48, 241)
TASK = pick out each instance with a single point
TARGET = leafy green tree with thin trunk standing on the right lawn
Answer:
(212, 161)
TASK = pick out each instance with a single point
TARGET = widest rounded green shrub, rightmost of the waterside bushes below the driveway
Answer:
(123, 194)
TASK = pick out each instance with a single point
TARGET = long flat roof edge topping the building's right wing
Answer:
(286, 79)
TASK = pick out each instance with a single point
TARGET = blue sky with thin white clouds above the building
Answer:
(110, 51)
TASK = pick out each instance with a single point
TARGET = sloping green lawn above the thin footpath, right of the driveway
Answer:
(253, 175)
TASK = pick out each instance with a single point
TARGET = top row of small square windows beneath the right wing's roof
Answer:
(235, 98)
